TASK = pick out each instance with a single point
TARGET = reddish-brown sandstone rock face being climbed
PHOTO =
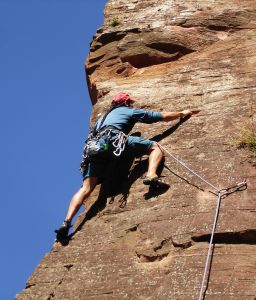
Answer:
(135, 243)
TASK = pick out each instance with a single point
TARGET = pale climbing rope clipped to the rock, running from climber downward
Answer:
(221, 193)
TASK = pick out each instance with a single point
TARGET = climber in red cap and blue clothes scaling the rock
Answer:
(113, 128)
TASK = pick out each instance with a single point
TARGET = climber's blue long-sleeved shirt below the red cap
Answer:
(124, 118)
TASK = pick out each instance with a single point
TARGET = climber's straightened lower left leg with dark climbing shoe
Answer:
(78, 199)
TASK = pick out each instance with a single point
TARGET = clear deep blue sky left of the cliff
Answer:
(44, 118)
